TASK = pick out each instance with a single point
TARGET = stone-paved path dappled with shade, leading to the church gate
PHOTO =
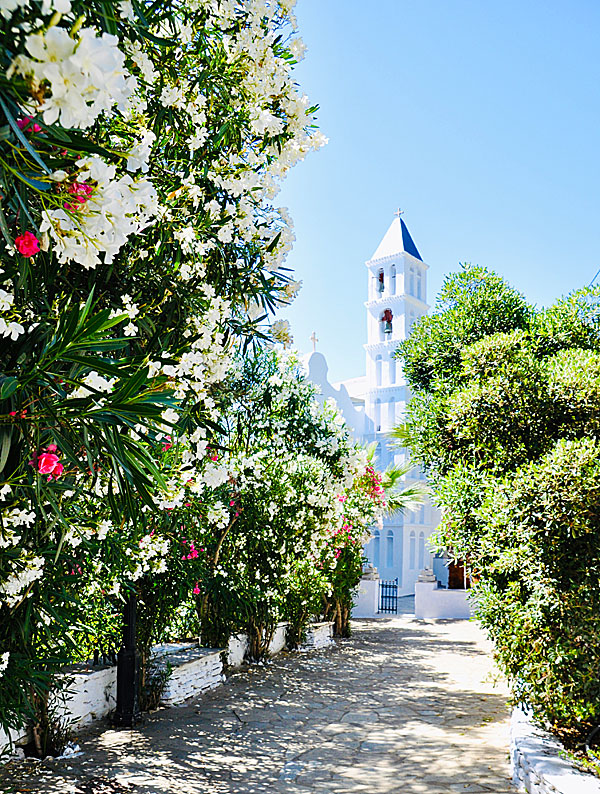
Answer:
(402, 707)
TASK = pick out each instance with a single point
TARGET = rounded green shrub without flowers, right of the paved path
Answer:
(505, 418)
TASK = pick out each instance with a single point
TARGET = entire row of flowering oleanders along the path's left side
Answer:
(155, 441)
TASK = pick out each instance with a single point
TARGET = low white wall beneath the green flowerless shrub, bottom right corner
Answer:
(538, 763)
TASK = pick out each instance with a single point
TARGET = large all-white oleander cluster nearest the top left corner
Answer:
(85, 75)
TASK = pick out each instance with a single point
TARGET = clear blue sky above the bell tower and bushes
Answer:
(479, 118)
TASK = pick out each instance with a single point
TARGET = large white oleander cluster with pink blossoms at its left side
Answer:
(115, 209)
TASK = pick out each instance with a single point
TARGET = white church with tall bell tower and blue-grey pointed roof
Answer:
(373, 403)
